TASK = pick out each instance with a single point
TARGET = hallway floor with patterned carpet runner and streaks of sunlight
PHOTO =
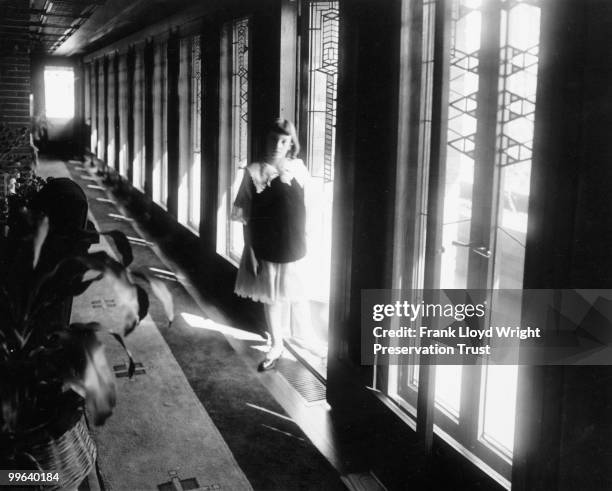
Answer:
(196, 401)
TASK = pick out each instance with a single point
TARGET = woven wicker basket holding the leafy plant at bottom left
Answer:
(72, 455)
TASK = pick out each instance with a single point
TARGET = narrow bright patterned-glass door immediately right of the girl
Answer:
(317, 132)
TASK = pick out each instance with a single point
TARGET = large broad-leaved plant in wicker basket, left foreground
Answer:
(52, 372)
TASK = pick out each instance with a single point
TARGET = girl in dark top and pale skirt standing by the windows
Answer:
(270, 203)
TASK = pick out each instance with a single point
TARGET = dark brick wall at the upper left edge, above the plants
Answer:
(15, 68)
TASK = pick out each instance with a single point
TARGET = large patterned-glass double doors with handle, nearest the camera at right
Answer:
(477, 208)
